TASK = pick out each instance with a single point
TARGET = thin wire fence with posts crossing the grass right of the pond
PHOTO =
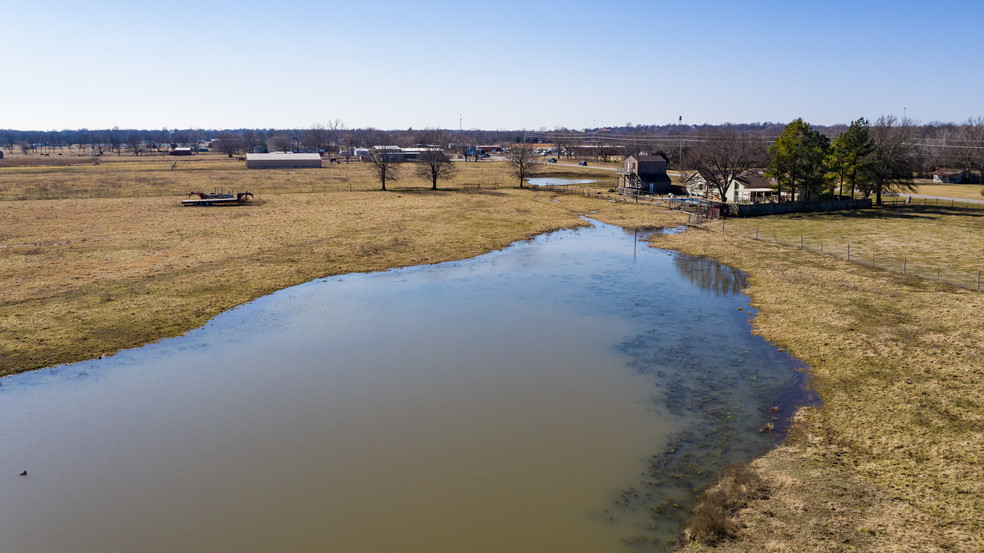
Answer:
(862, 254)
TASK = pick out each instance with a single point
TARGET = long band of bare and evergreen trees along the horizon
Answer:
(869, 158)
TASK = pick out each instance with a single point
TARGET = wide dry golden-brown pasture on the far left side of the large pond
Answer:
(84, 276)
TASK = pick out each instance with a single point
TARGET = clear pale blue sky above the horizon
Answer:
(504, 64)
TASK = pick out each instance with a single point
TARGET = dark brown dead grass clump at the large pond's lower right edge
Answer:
(714, 517)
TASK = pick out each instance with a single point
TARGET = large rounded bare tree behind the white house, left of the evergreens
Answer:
(723, 157)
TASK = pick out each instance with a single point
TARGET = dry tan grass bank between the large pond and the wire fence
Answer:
(894, 458)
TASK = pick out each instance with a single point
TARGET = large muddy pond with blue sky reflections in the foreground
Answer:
(548, 397)
